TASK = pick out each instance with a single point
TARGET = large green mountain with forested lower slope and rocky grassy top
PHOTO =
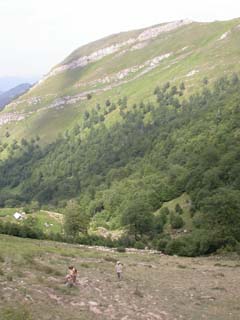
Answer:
(137, 134)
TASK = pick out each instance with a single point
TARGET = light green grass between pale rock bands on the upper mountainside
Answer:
(204, 53)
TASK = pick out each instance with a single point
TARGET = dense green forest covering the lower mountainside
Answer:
(119, 176)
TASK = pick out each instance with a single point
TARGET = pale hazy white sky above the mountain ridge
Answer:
(37, 34)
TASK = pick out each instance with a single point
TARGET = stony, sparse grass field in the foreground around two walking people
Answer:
(153, 286)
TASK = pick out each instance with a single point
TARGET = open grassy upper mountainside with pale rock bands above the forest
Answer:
(127, 64)
